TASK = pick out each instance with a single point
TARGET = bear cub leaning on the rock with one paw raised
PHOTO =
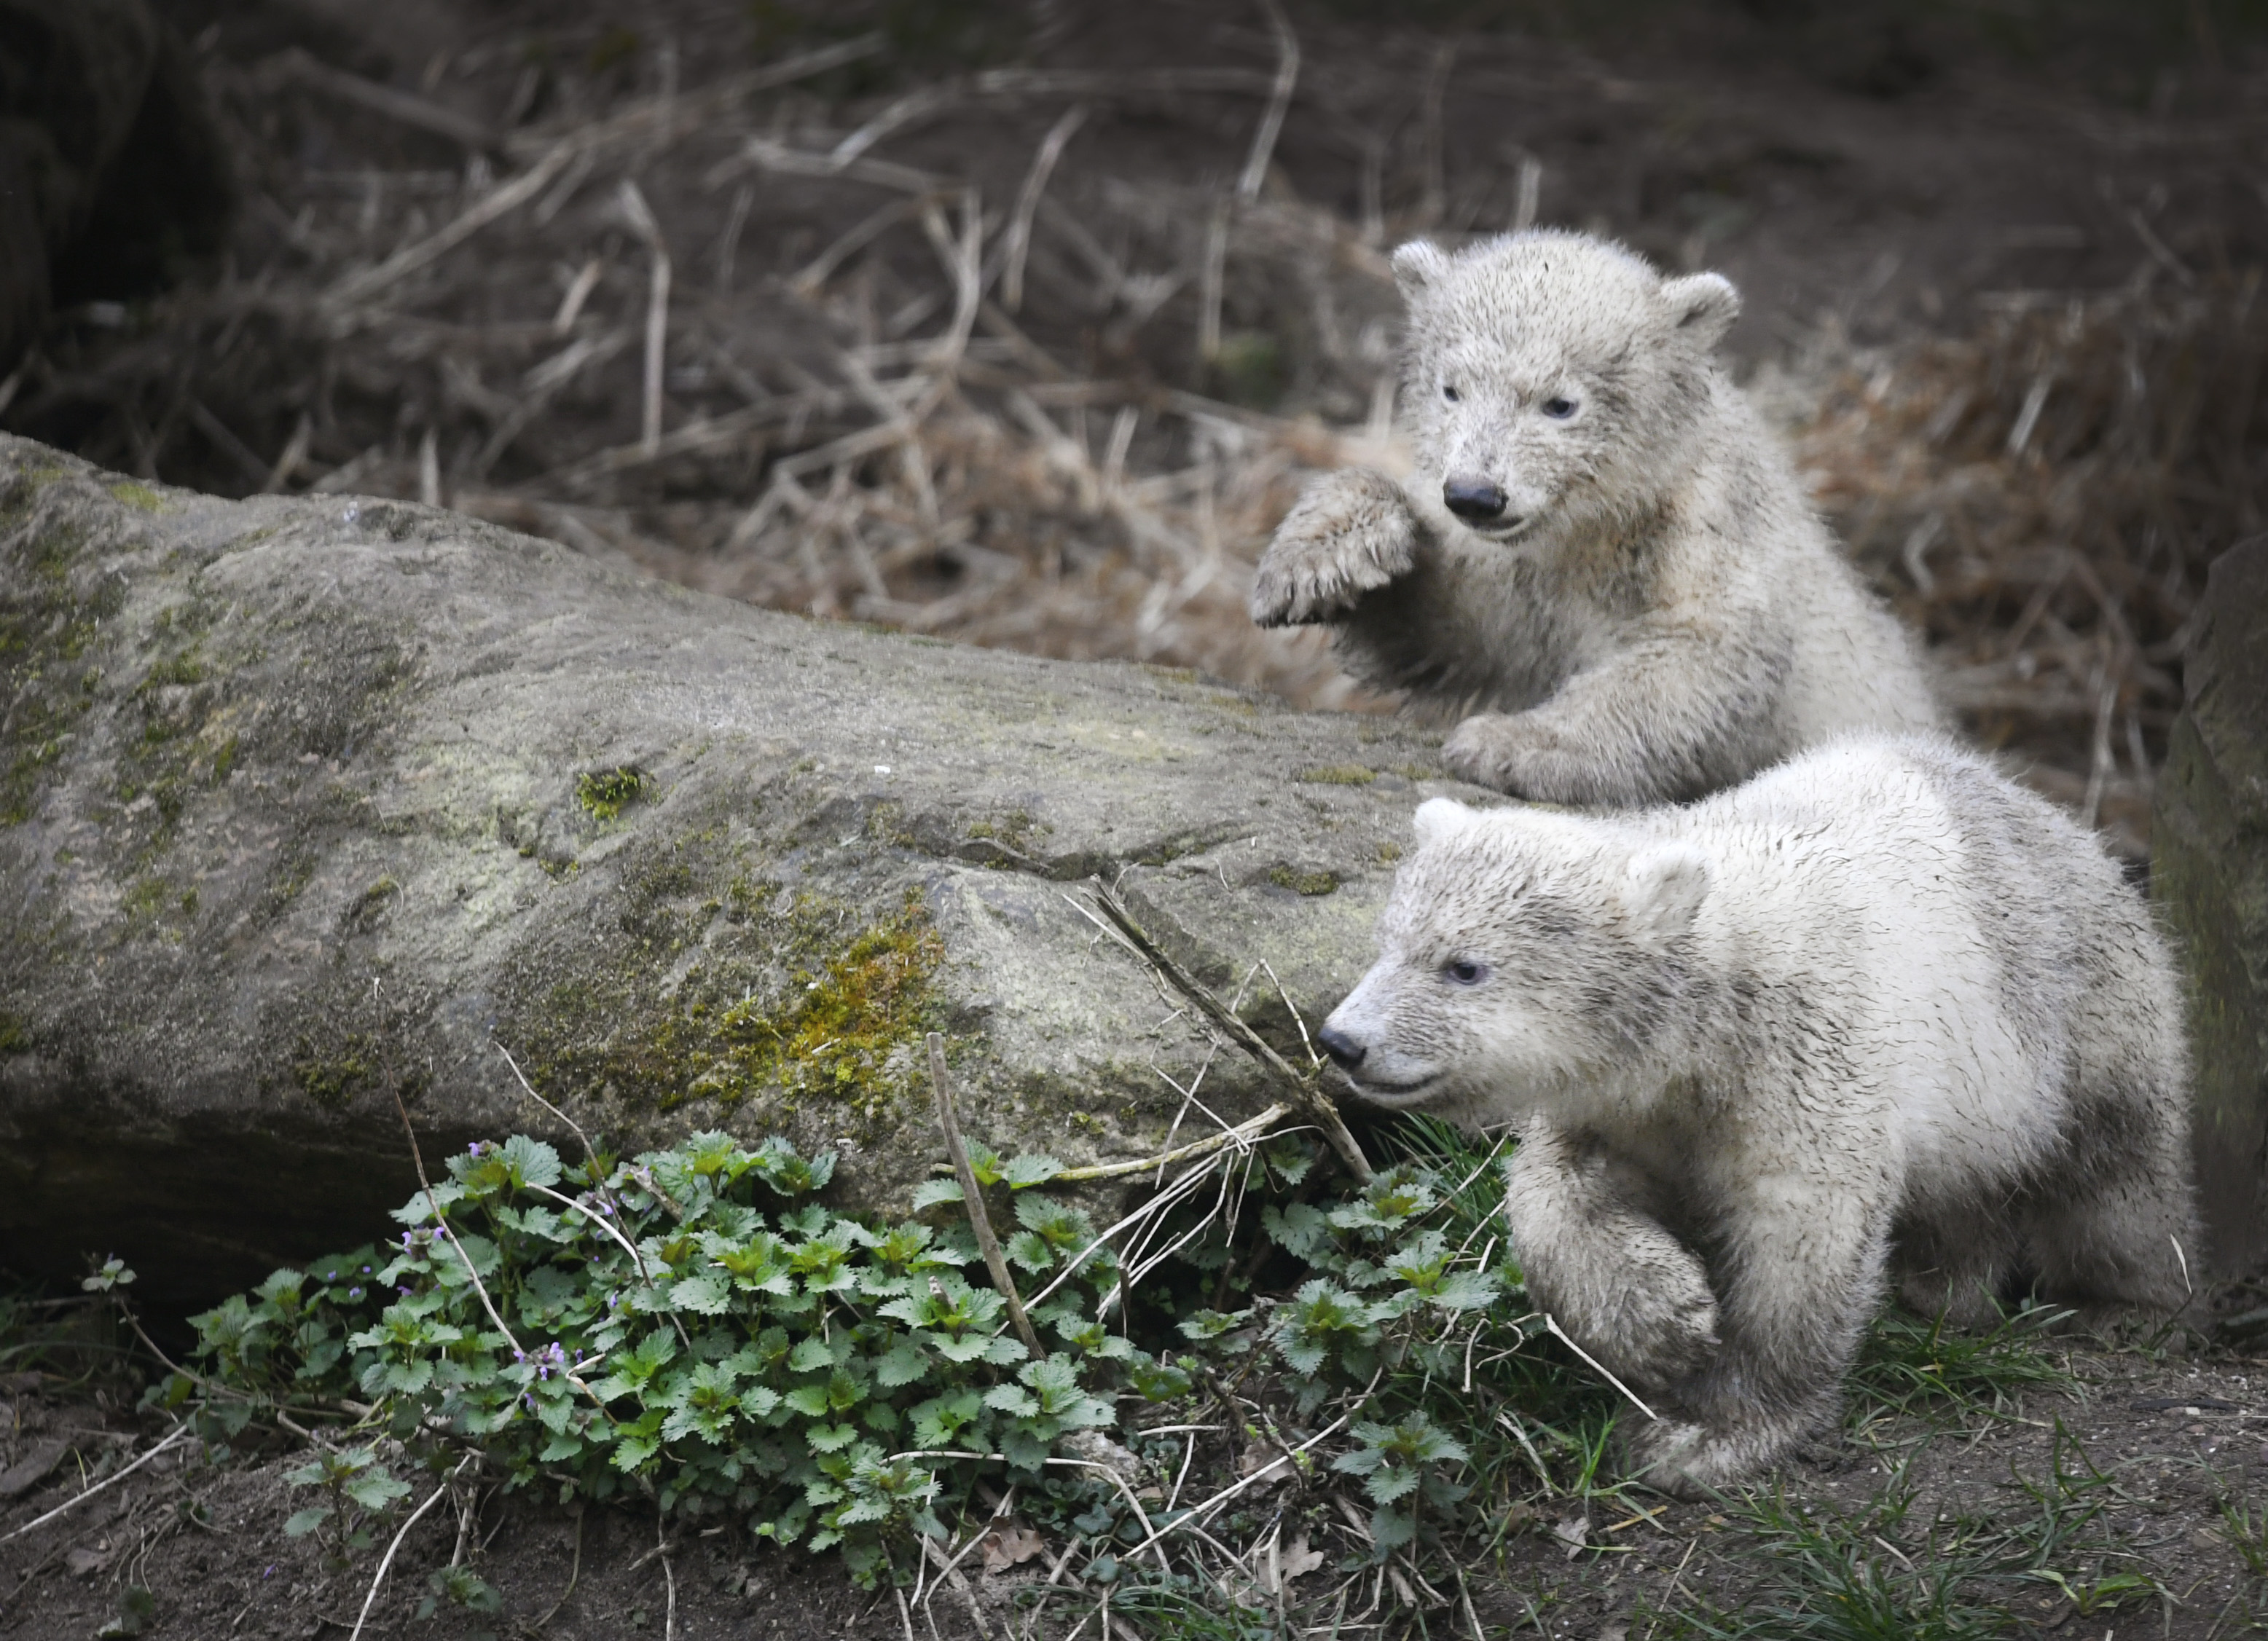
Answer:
(1600, 545)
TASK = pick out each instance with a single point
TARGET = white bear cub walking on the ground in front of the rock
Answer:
(1879, 1007)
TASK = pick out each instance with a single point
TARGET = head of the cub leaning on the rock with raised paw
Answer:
(1552, 375)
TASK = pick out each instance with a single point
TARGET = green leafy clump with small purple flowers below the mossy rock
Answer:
(686, 1325)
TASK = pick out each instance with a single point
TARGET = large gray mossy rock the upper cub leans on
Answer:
(310, 804)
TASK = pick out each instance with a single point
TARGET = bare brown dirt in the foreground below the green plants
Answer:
(2151, 1452)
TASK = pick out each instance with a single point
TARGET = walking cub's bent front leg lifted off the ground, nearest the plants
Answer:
(1609, 1275)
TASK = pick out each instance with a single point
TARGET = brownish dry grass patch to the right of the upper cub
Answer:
(2045, 500)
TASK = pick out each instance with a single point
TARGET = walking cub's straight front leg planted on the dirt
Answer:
(1804, 1259)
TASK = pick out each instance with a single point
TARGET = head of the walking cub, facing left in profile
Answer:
(1525, 958)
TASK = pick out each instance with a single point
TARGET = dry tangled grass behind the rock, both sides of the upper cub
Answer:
(1015, 405)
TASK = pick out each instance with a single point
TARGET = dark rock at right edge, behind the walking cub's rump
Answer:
(2210, 874)
